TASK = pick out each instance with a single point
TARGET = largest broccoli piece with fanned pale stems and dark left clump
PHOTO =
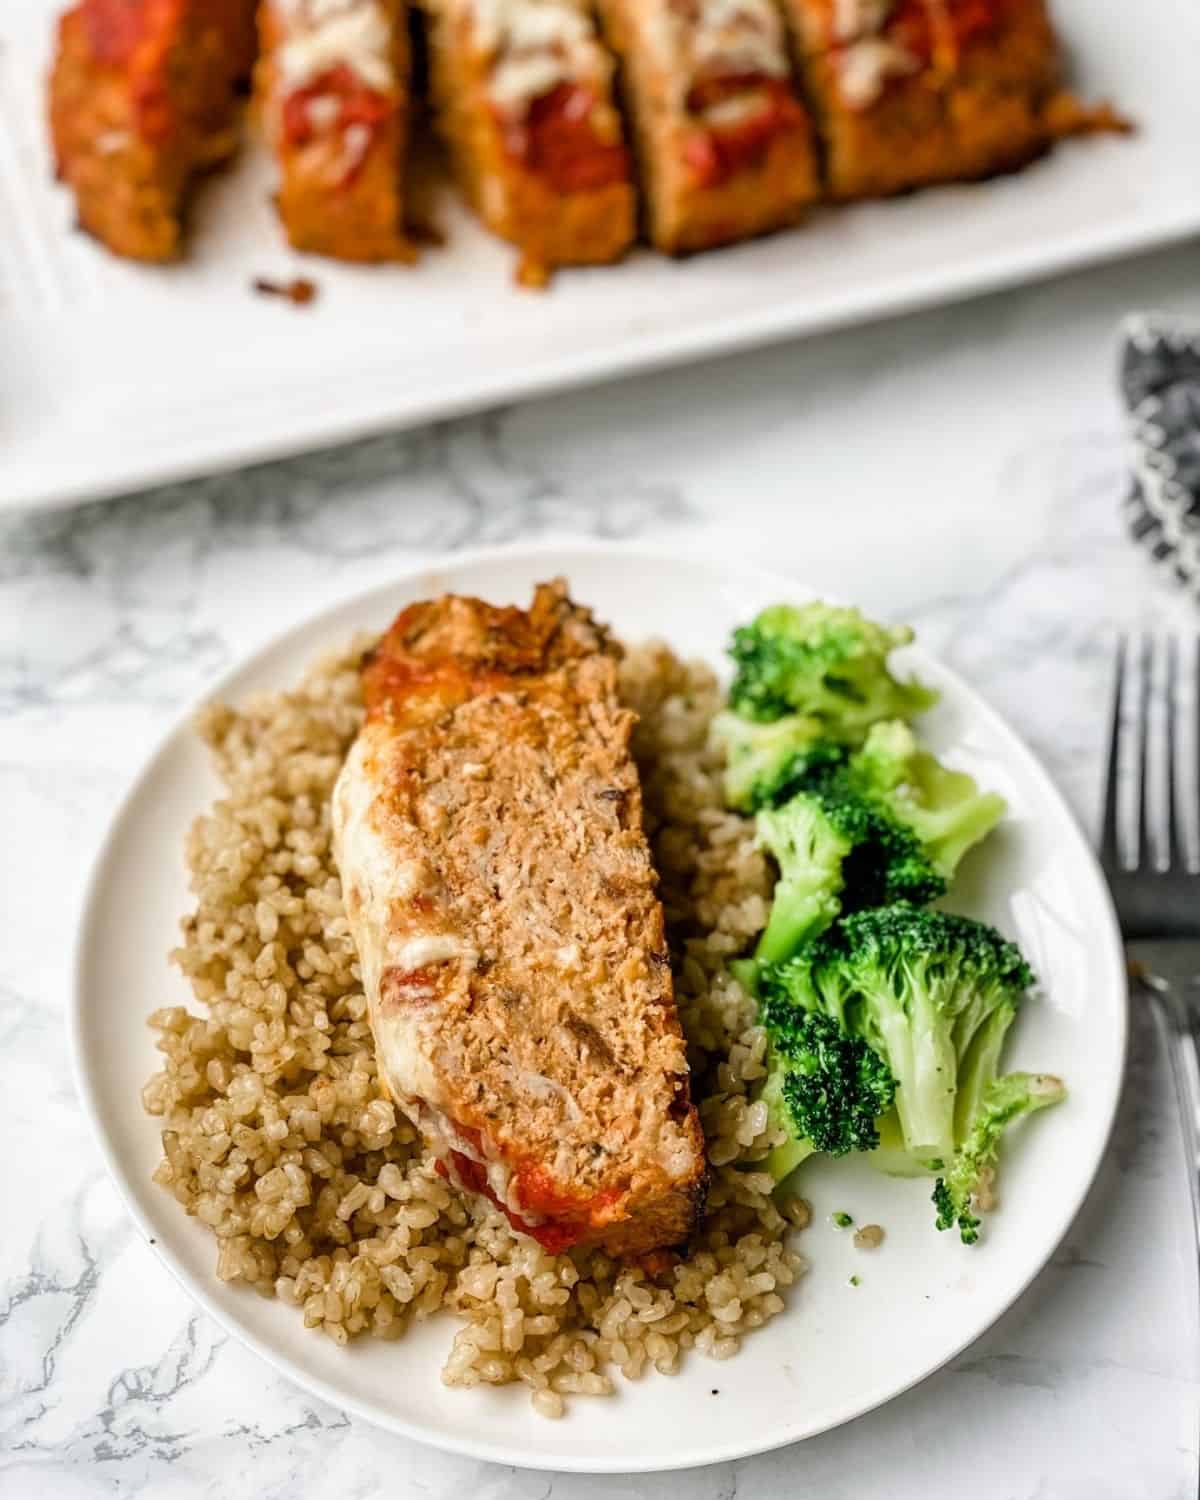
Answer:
(931, 998)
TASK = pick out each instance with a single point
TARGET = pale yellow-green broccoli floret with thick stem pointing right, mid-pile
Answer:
(944, 809)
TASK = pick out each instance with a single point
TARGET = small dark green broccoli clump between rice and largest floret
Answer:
(824, 1087)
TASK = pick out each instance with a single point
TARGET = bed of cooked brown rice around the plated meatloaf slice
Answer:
(278, 1138)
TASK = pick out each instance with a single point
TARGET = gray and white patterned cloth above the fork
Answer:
(1160, 379)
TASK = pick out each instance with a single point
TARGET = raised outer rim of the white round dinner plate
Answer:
(466, 1445)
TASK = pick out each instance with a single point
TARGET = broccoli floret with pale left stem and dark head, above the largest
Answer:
(836, 851)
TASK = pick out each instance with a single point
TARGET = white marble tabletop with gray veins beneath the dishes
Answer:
(962, 470)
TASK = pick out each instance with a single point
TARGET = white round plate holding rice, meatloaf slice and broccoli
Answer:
(838, 1351)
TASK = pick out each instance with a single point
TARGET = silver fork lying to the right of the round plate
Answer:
(1154, 776)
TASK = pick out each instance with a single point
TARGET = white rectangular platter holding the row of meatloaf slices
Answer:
(116, 377)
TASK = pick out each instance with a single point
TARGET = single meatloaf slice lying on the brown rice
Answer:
(488, 827)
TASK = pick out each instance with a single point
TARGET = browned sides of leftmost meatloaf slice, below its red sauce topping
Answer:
(131, 193)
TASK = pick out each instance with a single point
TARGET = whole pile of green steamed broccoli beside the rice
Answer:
(886, 1021)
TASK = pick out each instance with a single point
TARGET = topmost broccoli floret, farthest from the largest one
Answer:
(824, 662)
